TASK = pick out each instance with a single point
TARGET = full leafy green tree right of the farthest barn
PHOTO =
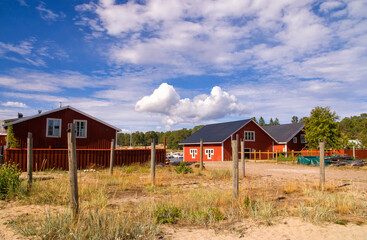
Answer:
(320, 125)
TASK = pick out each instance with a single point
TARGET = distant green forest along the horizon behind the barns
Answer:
(354, 127)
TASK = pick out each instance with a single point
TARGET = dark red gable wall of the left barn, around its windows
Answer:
(98, 135)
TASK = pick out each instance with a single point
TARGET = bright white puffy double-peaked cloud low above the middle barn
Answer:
(166, 101)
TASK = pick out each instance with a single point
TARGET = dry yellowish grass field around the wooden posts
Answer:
(132, 208)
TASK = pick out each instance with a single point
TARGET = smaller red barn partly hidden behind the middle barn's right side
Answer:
(289, 136)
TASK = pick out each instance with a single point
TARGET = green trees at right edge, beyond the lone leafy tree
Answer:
(355, 127)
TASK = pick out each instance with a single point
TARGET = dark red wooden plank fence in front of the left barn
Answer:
(86, 158)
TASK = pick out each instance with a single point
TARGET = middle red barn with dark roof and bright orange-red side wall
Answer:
(217, 140)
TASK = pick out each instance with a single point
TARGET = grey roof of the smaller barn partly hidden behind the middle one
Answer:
(285, 132)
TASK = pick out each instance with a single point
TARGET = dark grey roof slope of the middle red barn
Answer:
(215, 133)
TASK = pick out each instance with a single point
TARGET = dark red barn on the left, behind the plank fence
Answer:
(49, 129)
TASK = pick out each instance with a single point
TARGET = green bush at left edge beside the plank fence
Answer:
(9, 179)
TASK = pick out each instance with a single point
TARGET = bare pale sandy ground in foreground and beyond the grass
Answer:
(291, 228)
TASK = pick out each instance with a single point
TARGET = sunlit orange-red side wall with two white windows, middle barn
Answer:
(217, 156)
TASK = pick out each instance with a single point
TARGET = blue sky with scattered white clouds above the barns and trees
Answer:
(160, 65)
